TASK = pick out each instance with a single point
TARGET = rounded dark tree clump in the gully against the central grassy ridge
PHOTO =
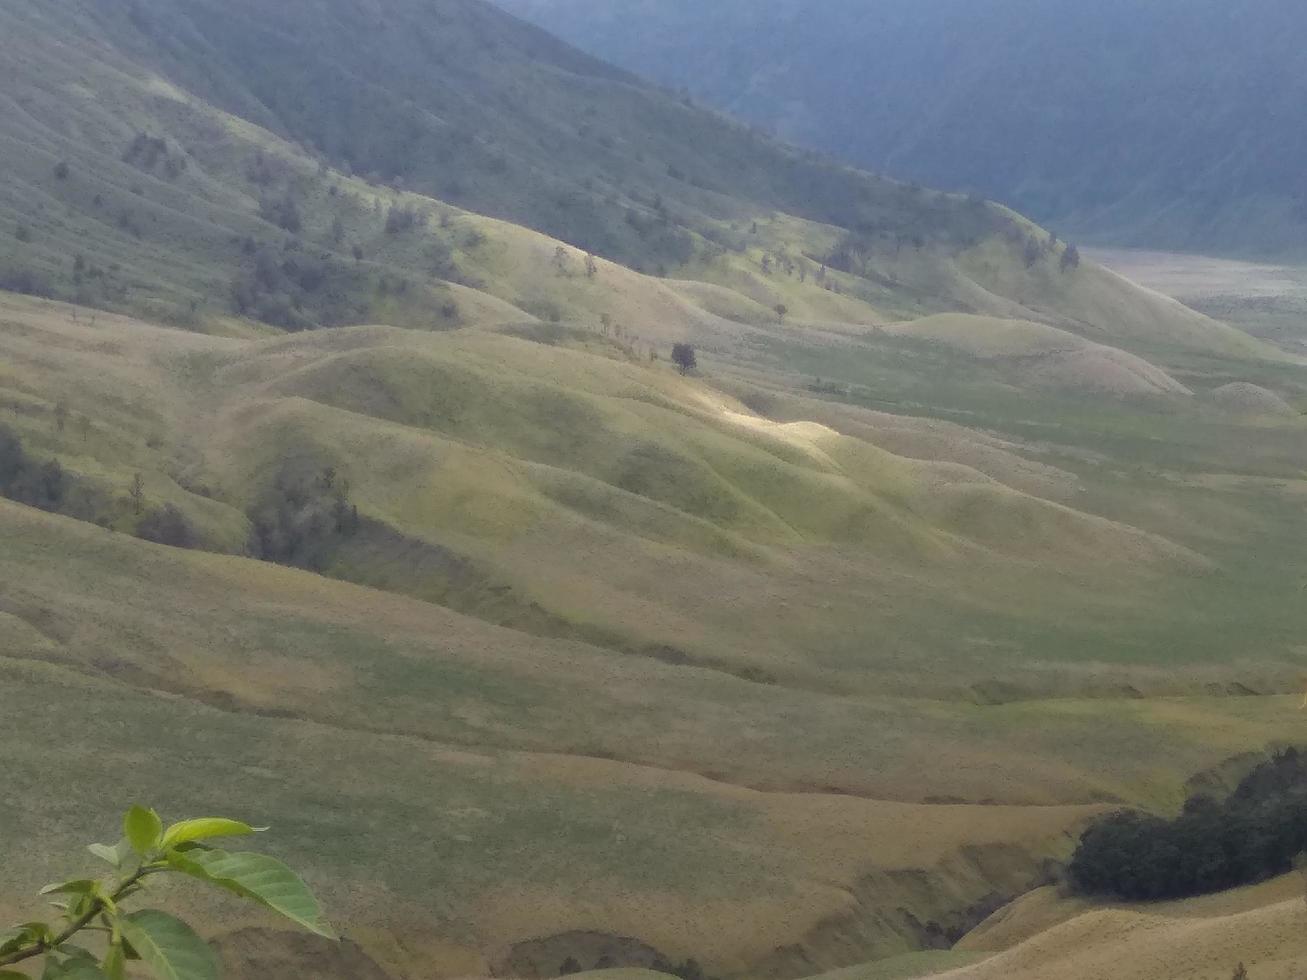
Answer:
(303, 519)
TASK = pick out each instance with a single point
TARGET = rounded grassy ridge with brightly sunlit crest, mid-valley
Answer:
(466, 467)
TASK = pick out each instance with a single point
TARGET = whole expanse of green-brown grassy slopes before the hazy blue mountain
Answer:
(526, 642)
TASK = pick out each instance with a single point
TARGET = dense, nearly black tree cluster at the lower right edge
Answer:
(1212, 846)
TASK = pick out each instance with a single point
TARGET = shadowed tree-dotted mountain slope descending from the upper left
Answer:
(316, 165)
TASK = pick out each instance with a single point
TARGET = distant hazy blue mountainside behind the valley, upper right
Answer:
(1165, 123)
